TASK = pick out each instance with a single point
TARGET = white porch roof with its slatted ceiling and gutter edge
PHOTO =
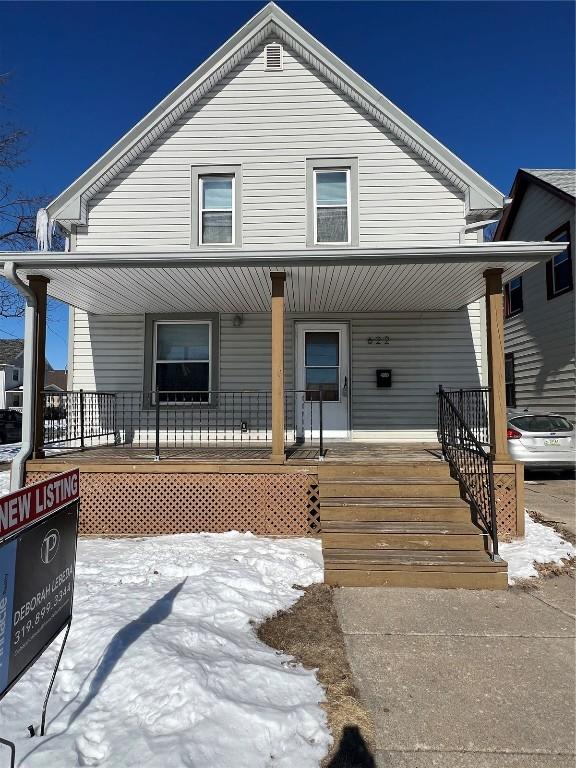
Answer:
(392, 279)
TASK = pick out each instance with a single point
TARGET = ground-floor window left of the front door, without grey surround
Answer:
(182, 360)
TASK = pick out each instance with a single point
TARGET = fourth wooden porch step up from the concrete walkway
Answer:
(380, 487)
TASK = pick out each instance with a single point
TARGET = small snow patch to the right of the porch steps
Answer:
(541, 544)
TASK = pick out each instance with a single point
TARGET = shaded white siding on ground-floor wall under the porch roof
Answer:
(425, 350)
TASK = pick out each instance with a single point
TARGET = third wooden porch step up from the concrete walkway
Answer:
(390, 509)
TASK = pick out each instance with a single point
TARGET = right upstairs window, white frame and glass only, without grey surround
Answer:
(332, 206)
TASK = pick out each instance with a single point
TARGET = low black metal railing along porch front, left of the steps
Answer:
(177, 419)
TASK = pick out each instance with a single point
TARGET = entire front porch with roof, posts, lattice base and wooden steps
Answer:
(277, 459)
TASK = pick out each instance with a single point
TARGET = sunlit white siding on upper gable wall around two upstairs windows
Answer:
(269, 122)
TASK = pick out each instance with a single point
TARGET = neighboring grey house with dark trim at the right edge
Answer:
(539, 306)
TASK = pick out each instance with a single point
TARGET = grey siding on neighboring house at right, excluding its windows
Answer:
(542, 337)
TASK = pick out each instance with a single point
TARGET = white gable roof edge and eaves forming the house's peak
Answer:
(71, 205)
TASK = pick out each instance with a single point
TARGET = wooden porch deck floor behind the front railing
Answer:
(343, 452)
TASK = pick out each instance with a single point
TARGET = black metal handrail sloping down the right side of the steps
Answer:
(469, 460)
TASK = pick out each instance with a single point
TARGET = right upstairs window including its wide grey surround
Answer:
(332, 202)
